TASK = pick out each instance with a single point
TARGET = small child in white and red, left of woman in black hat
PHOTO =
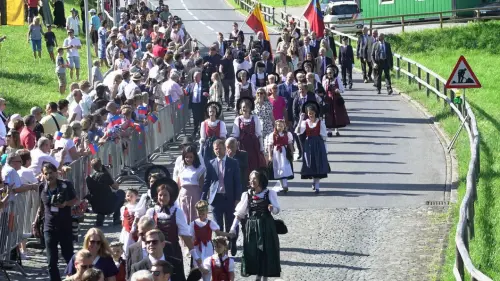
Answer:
(127, 216)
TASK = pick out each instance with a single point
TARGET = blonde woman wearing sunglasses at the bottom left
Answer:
(101, 258)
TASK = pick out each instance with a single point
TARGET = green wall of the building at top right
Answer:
(374, 8)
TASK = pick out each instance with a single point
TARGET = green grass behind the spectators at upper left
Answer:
(24, 82)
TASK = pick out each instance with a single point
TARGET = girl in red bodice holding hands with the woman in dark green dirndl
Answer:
(202, 229)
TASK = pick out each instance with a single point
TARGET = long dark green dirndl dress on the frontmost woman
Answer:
(261, 246)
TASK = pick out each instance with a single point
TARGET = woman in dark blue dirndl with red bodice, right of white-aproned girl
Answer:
(314, 161)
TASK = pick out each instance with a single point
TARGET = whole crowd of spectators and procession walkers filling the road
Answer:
(287, 103)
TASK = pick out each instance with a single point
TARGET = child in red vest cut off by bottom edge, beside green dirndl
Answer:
(219, 265)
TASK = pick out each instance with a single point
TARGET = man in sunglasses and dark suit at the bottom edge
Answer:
(155, 245)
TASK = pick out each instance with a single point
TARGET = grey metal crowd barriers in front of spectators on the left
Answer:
(17, 216)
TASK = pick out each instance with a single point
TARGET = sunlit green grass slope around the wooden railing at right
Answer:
(439, 51)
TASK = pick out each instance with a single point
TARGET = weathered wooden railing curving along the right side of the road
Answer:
(465, 227)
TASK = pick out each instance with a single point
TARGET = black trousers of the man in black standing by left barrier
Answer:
(52, 239)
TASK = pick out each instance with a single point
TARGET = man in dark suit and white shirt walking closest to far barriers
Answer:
(198, 98)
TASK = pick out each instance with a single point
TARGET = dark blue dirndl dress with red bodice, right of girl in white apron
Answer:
(315, 160)
